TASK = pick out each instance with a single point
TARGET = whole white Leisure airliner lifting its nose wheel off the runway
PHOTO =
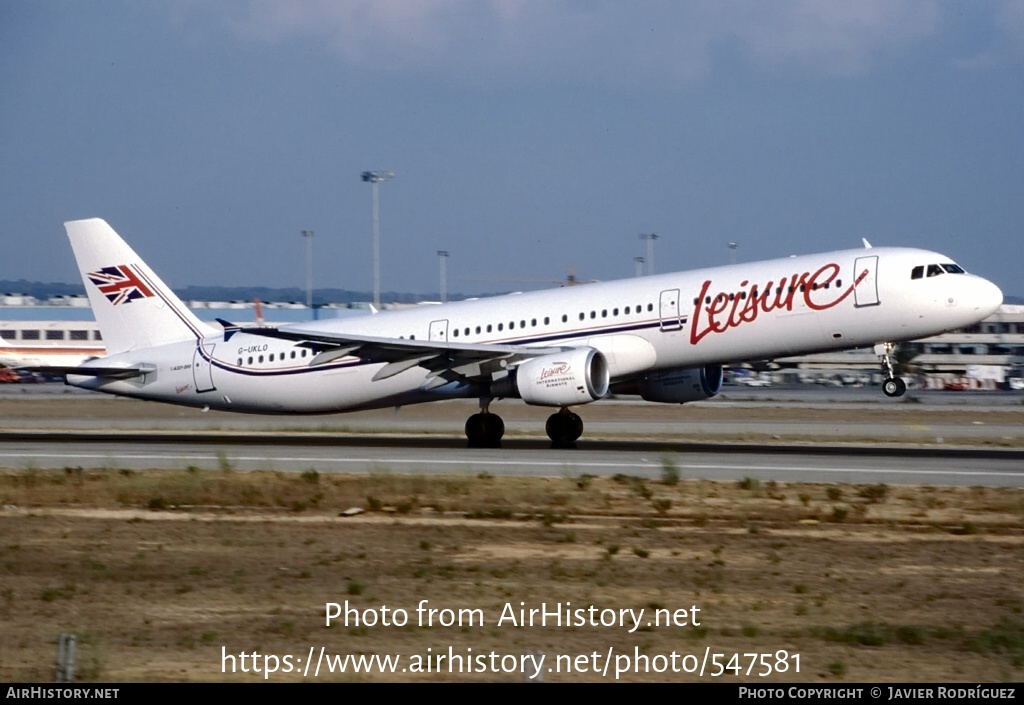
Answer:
(664, 339)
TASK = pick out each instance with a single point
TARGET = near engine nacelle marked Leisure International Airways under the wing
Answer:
(561, 380)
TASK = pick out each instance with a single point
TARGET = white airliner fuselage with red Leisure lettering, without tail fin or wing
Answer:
(716, 316)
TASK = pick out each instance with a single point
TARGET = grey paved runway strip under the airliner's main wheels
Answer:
(420, 457)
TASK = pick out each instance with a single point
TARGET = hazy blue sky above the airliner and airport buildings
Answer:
(527, 137)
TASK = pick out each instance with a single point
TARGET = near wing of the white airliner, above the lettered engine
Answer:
(445, 360)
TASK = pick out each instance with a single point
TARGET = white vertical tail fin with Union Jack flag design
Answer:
(135, 309)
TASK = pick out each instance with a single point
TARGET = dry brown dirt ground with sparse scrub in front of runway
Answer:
(163, 576)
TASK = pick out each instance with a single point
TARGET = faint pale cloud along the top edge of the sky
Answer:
(621, 43)
